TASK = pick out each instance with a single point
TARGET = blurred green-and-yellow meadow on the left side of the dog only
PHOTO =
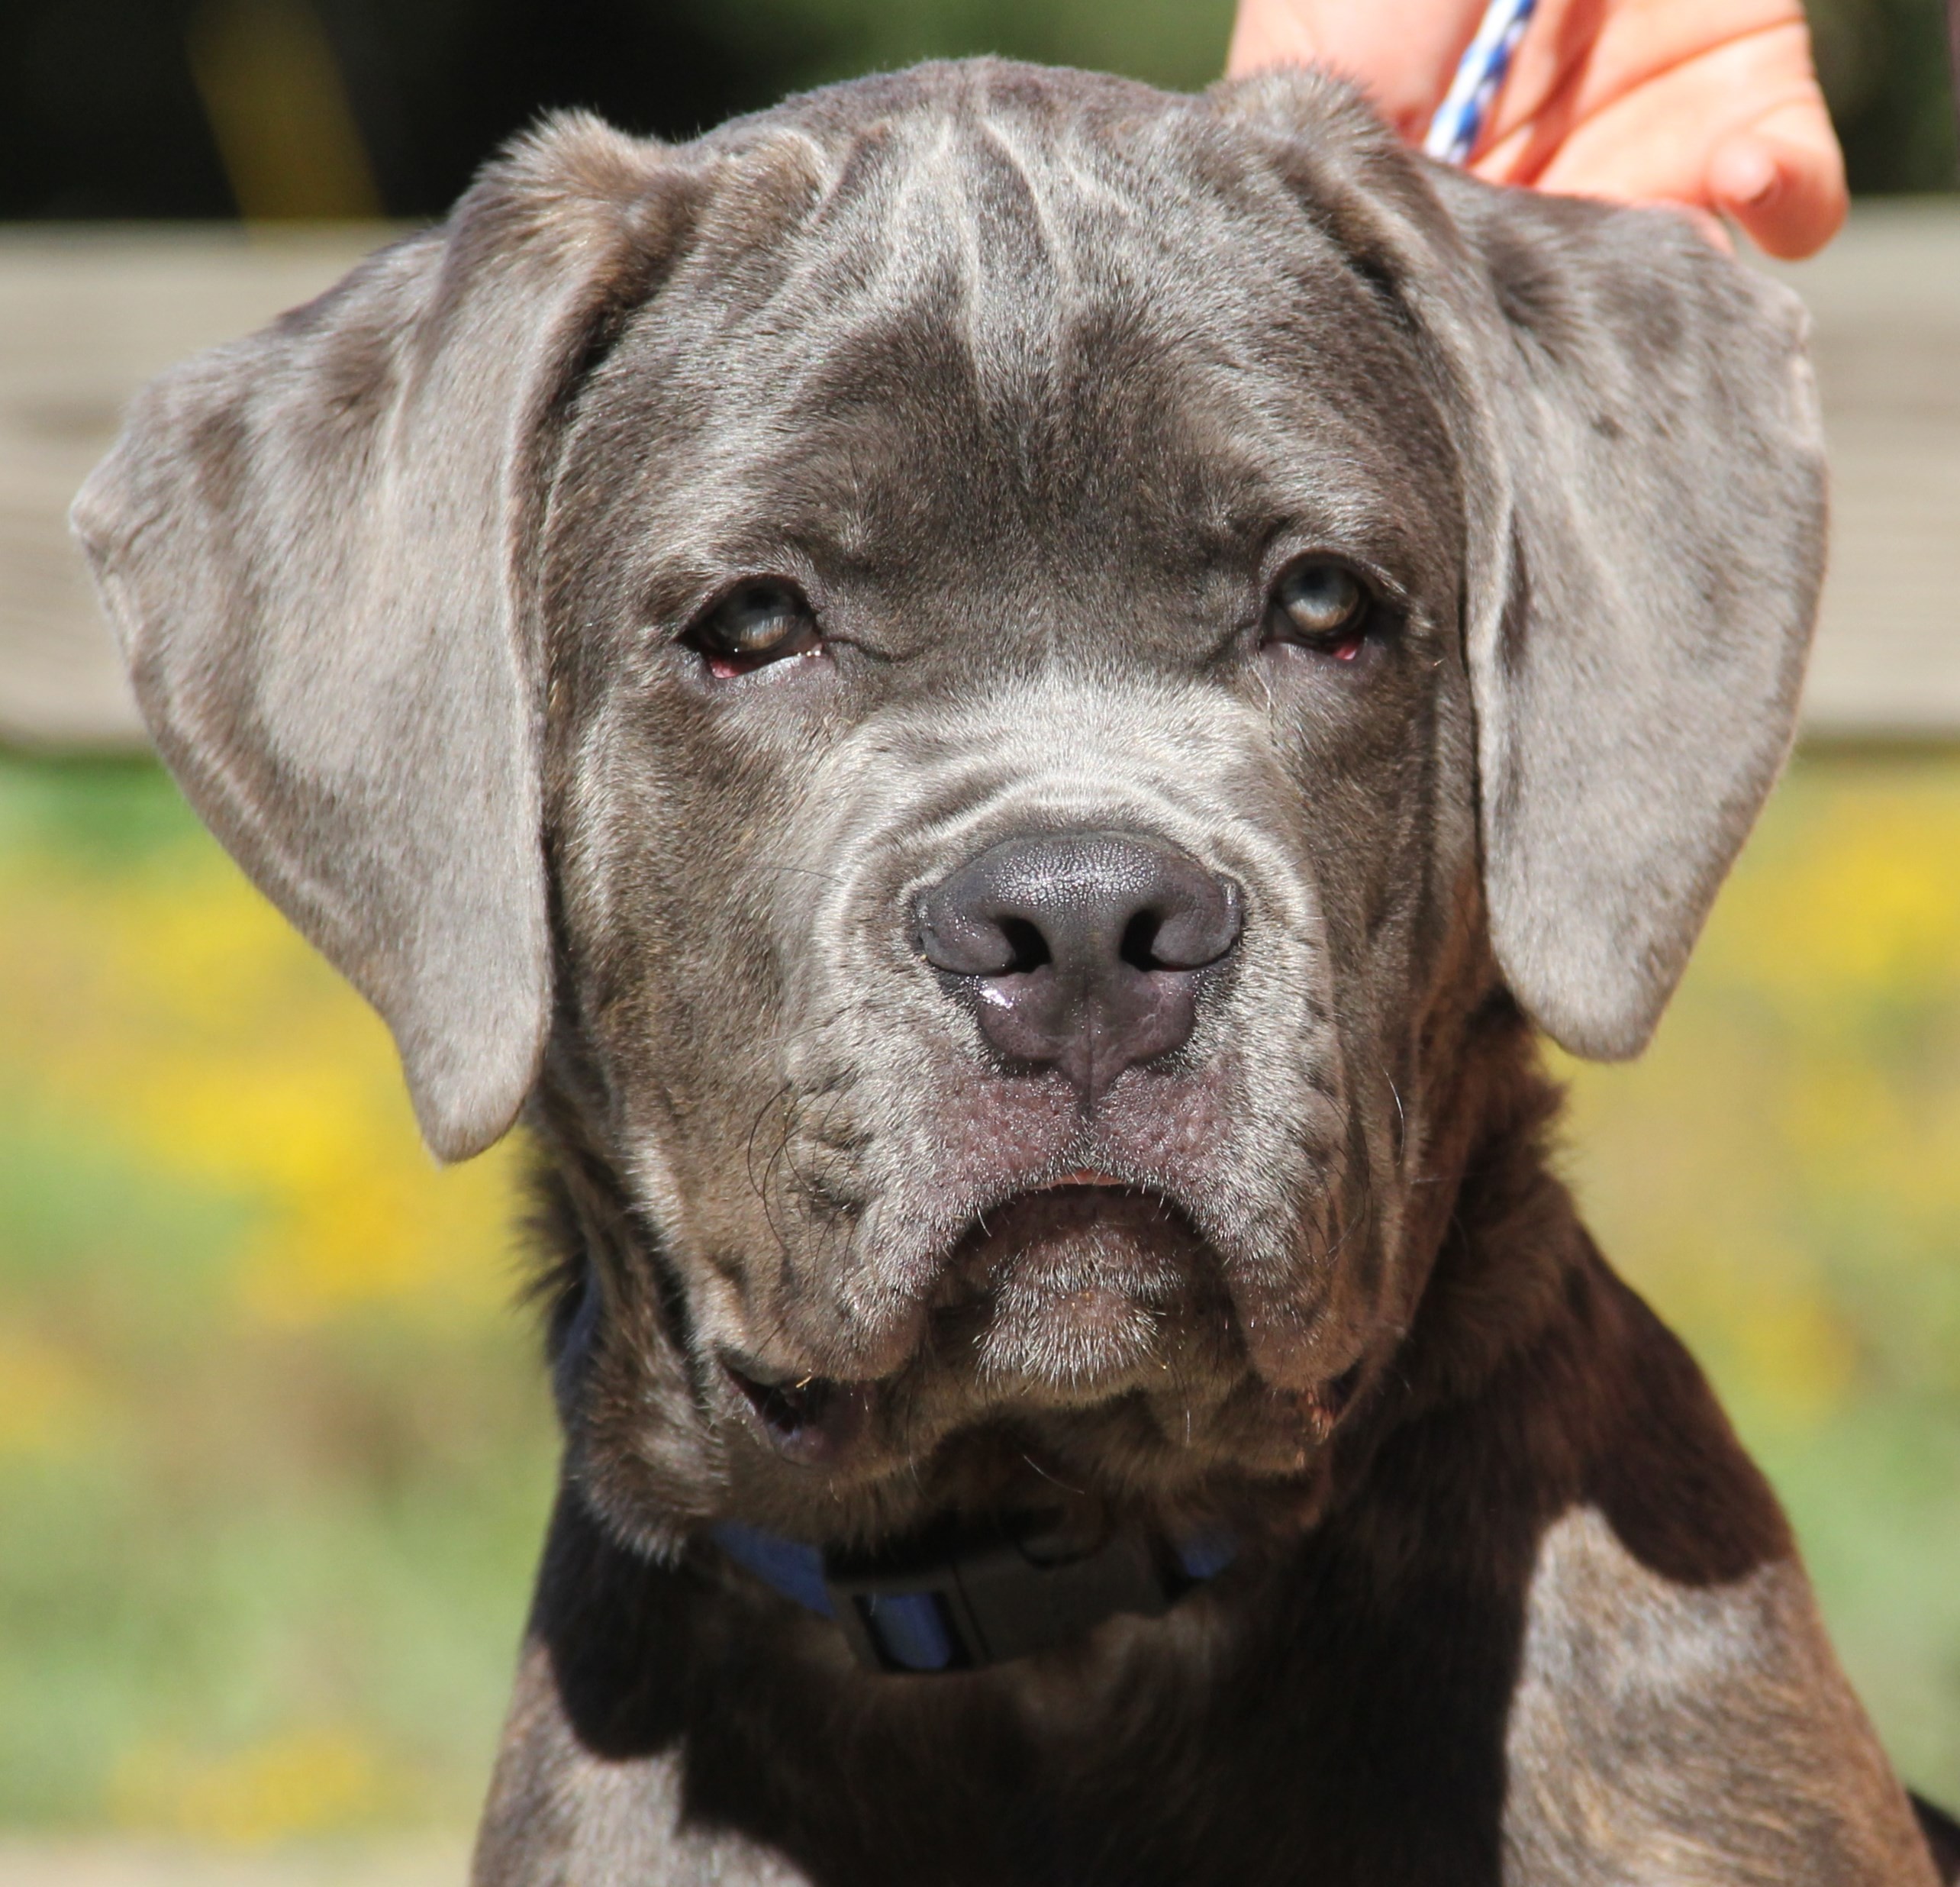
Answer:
(268, 1506)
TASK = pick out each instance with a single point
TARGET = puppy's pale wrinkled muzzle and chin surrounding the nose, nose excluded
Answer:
(877, 1108)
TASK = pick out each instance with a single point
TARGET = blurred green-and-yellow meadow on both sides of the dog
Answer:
(275, 1451)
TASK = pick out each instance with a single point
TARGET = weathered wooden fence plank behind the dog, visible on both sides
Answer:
(89, 314)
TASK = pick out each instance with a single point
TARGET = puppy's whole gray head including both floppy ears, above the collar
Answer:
(971, 681)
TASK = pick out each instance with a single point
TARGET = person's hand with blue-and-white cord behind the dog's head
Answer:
(1706, 105)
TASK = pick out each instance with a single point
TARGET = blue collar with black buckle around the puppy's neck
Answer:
(959, 1602)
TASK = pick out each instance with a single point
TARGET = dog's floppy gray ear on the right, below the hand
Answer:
(1645, 481)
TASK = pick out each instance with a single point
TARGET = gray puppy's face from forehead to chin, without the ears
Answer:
(1093, 802)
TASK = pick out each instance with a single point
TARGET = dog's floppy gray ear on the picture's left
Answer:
(317, 552)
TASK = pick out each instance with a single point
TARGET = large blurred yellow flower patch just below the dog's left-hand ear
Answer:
(175, 1012)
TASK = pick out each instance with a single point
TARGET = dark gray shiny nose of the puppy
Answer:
(1081, 949)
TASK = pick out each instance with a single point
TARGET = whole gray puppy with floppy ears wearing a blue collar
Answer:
(999, 704)
